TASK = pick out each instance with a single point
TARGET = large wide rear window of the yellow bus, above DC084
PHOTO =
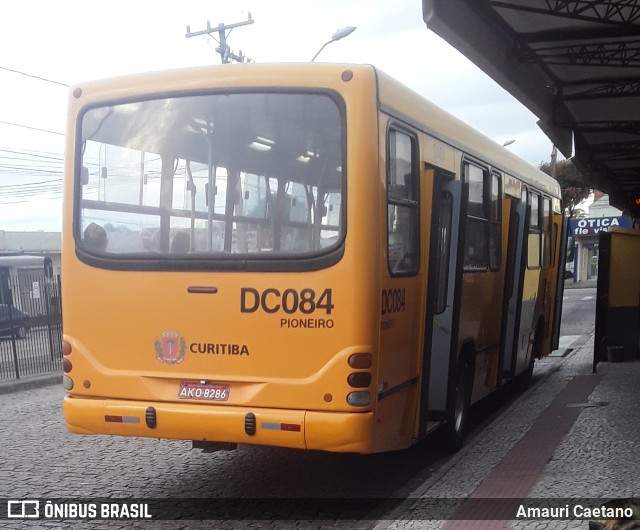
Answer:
(246, 174)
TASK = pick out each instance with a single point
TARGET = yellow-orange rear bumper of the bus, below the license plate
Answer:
(326, 431)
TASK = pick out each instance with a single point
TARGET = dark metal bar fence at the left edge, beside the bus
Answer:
(30, 326)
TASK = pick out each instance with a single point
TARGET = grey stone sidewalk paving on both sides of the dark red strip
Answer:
(599, 458)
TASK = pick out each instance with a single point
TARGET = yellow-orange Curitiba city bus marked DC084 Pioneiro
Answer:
(309, 256)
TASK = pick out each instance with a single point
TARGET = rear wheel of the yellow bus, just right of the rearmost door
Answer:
(460, 397)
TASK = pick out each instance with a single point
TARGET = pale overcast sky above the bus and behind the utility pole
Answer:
(47, 46)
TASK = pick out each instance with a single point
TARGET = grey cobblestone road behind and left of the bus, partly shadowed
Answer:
(42, 460)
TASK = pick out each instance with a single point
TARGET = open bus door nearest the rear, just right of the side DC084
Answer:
(442, 298)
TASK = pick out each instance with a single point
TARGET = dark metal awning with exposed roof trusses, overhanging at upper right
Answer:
(574, 63)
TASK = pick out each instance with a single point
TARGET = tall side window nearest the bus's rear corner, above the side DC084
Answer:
(403, 213)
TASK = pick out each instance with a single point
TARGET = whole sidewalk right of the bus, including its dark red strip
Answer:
(572, 436)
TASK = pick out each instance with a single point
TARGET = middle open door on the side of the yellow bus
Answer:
(514, 281)
